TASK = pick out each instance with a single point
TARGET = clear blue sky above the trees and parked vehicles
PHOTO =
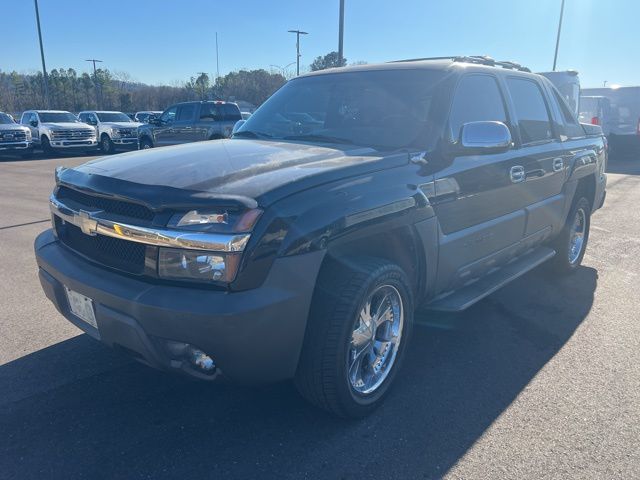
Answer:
(167, 41)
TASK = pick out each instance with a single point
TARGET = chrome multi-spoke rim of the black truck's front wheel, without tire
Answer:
(375, 340)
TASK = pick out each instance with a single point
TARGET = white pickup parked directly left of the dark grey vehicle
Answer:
(115, 129)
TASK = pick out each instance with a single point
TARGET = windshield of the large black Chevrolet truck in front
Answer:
(380, 109)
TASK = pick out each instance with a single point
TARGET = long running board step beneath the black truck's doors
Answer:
(466, 296)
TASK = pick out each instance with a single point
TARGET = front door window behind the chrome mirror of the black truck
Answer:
(477, 98)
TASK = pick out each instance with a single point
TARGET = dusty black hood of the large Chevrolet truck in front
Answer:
(254, 171)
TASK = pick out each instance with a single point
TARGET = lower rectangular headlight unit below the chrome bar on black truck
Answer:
(180, 264)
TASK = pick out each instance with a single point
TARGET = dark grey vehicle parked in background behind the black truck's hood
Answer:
(189, 122)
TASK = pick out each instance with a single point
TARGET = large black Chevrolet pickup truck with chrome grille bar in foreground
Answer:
(300, 248)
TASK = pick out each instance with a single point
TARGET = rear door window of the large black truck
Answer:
(531, 110)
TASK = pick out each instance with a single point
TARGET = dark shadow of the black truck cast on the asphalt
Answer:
(111, 418)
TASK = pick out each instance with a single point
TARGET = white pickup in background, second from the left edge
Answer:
(59, 130)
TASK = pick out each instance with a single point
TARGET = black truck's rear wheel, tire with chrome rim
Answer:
(571, 243)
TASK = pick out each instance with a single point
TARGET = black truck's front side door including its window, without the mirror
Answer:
(479, 200)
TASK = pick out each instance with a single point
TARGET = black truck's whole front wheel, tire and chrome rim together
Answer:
(359, 327)
